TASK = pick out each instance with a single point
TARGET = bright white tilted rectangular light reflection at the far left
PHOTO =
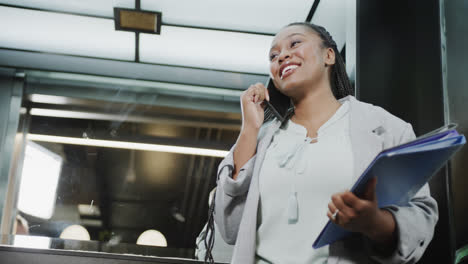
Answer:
(39, 181)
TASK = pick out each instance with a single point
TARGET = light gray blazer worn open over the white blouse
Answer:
(372, 129)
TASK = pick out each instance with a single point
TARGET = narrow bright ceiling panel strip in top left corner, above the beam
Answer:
(86, 7)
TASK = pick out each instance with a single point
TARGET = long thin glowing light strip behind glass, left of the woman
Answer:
(127, 145)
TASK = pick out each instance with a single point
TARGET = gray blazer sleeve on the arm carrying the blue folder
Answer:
(415, 223)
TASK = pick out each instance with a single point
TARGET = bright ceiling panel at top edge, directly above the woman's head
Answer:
(254, 16)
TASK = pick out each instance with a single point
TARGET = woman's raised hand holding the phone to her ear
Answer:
(252, 107)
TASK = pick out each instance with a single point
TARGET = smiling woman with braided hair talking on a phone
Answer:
(276, 182)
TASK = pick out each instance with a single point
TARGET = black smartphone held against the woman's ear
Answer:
(279, 105)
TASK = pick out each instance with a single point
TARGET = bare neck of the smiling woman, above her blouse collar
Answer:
(315, 108)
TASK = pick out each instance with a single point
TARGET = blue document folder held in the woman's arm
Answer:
(401, 172)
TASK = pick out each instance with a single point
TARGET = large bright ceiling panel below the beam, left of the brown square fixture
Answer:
(66, 34)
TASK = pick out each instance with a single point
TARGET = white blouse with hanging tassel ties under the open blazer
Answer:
(297, 180)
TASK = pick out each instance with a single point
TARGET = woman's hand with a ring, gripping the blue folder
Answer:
(363, 215)
